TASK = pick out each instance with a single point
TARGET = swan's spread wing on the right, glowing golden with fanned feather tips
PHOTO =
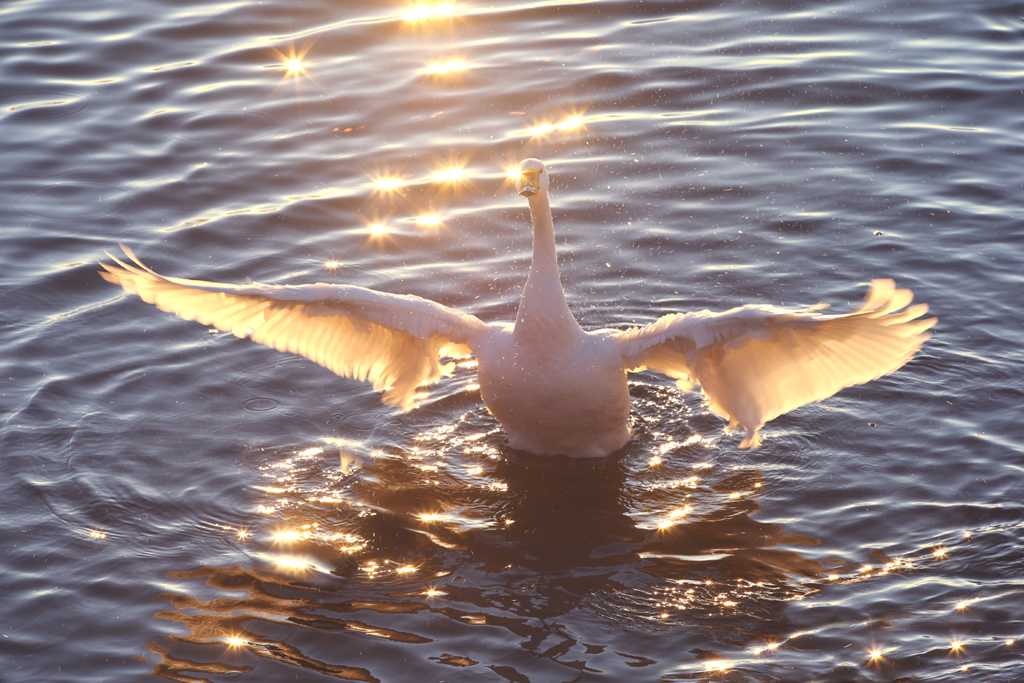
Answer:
(756, 363)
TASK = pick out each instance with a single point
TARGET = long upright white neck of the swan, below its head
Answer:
(543, 313)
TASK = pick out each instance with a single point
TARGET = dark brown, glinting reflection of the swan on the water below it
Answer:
(456, 546)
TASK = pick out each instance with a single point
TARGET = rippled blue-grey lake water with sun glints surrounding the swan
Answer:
(185, 505)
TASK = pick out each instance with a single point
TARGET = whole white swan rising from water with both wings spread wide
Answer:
(554, 388)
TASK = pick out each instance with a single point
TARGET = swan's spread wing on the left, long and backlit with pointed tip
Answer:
(394, 341)
